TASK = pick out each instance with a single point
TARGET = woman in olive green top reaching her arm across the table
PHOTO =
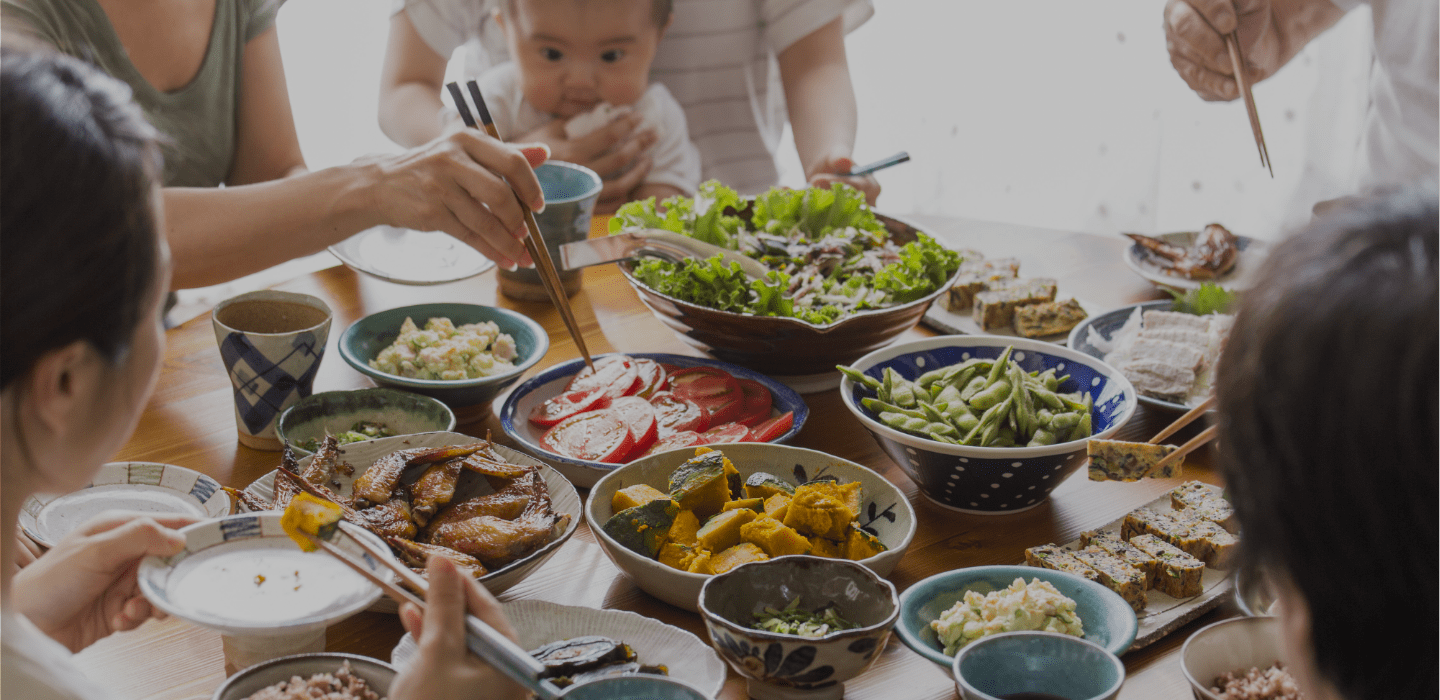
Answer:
(210, 77)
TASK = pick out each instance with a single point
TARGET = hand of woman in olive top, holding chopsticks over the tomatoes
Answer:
(462, 184)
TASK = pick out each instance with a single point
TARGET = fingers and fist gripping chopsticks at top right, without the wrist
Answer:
(1196, 37)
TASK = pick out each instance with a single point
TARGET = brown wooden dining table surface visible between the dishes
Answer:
(191, 421)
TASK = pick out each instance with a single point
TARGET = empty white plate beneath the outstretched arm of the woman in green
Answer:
(411, 257)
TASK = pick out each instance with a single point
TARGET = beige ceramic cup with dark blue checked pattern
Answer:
(271, 344)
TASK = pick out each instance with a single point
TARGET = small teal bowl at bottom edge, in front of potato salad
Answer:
(1038, 665)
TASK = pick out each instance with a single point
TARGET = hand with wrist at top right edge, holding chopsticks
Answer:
(1271, 34)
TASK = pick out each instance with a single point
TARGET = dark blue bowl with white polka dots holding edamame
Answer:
(991, 480)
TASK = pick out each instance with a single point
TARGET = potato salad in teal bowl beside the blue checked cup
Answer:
(447, 352)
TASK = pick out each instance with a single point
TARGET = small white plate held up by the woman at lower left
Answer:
(243, 575)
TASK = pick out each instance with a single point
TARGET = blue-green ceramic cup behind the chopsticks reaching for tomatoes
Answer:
(570, 201)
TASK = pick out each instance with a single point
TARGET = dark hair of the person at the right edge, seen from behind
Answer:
(1328, 437)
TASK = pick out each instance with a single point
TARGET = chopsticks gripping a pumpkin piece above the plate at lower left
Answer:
(483, 640)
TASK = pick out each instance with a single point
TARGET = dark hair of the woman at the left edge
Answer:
(78, 166)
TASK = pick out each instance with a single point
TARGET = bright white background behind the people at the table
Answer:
(1050, 113)
